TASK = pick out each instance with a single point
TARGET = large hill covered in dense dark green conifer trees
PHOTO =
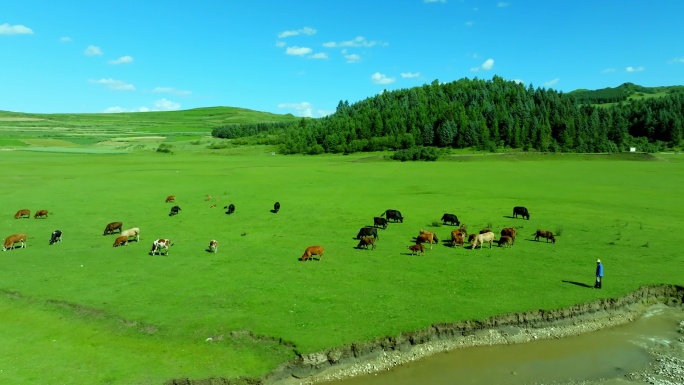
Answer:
(483, 114)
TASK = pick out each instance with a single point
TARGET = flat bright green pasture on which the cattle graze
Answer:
(84, 312)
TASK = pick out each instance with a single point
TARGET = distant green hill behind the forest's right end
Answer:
(624, 92)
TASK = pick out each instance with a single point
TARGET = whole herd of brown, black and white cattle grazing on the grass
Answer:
(367, 235)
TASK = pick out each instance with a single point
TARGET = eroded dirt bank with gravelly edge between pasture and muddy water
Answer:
(384, 353)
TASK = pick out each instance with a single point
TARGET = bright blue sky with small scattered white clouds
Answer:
(303, 57)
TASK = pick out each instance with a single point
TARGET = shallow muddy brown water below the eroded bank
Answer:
(605, 355)
